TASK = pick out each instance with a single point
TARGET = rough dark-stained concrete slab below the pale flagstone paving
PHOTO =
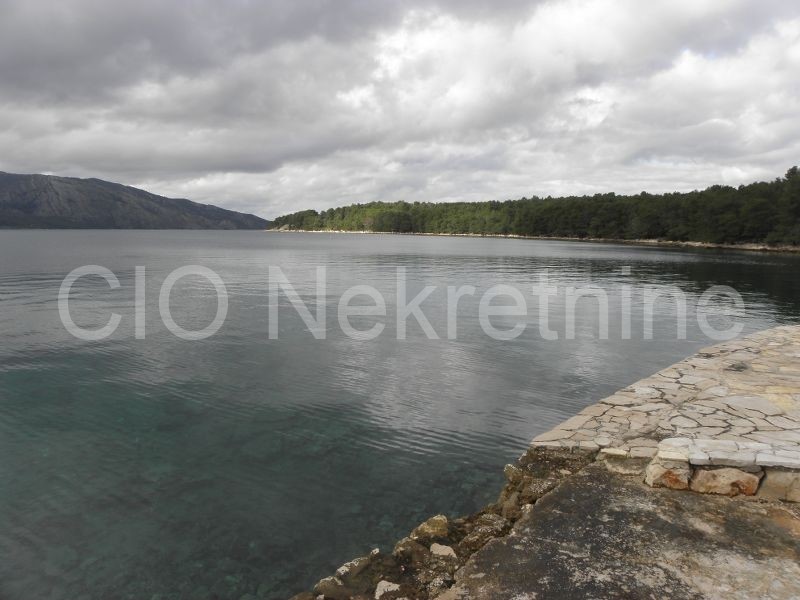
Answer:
(604, 535)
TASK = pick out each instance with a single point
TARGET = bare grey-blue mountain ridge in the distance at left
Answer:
(44, 201)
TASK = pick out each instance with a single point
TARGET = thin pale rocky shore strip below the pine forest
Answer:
(782, 249)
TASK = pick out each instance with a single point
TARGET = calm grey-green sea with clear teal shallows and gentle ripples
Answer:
(164, 468)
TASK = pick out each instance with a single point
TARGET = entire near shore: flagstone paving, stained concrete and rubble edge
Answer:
(724, 423)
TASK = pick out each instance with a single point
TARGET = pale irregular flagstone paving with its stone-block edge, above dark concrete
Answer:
(734, 405)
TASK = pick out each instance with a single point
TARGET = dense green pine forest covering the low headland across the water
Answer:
(763, 213)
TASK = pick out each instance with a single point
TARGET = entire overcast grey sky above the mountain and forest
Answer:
(272, 107)
